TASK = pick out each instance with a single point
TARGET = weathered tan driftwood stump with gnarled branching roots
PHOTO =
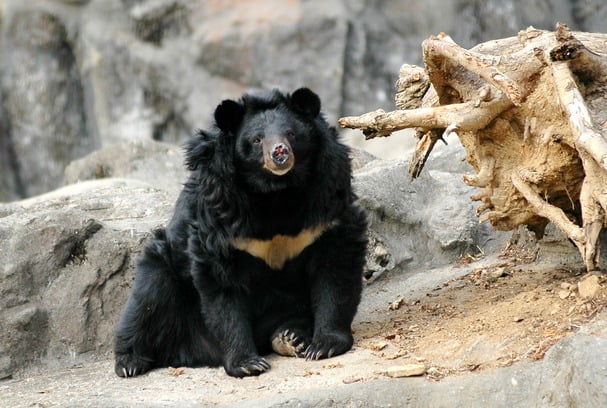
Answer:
(531, 112)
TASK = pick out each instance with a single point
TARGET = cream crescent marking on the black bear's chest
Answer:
(278, 250)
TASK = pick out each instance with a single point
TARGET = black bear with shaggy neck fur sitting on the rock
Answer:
(264, 252)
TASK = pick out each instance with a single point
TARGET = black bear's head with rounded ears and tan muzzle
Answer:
(275, 137)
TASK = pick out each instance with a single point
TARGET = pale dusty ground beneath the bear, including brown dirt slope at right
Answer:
(474, 315)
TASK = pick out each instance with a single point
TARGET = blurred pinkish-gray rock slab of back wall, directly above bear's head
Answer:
(274, 44)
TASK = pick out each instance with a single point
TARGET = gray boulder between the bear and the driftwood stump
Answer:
(426, 222)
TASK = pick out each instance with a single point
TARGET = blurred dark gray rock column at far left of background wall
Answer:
(43, 97)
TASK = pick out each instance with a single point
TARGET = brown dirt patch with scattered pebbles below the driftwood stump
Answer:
(491, 317)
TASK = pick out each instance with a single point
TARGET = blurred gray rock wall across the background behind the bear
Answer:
(77, 75)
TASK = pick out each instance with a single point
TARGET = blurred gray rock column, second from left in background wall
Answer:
(115, 79)
